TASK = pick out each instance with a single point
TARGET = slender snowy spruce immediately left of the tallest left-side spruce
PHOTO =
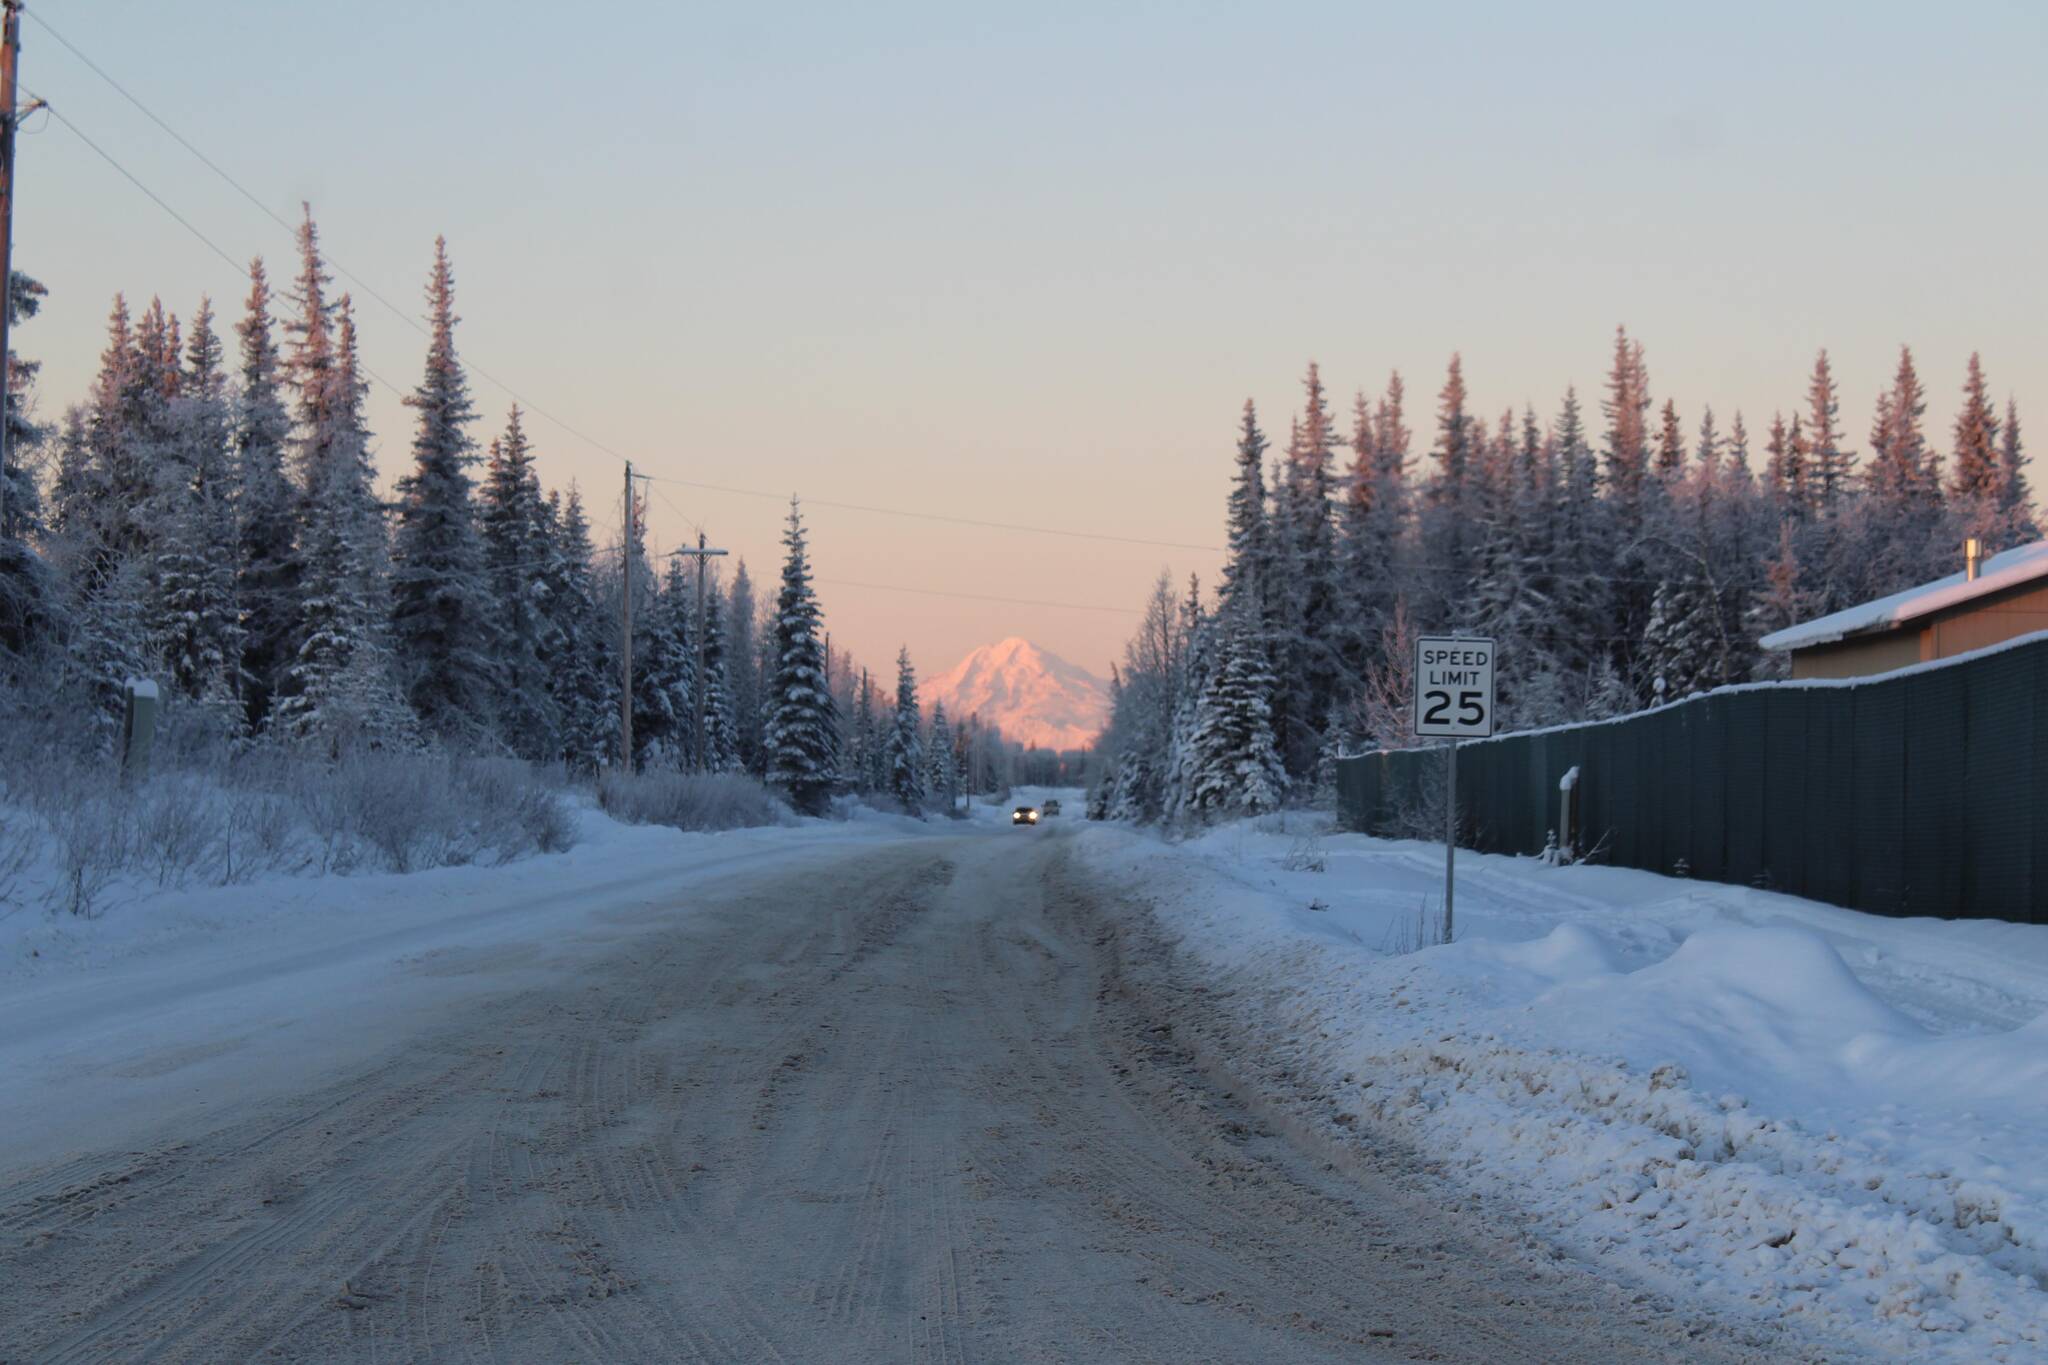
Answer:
(267, 566)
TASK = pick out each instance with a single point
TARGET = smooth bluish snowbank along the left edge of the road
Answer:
(175, 1004)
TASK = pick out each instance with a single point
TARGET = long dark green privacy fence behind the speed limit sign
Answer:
(1920, 793)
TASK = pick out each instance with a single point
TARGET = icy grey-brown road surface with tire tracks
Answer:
(908, 1102)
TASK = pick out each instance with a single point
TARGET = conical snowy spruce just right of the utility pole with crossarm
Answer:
(802, 734)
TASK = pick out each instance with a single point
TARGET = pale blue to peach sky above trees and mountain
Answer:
(1027, 263)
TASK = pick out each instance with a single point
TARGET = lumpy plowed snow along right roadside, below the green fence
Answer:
(1734, 1094)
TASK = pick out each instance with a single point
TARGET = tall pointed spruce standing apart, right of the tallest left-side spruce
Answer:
(441, 621)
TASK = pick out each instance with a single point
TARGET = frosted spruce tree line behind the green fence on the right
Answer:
(1615, 568)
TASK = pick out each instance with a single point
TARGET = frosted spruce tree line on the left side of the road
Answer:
(210, 519)
